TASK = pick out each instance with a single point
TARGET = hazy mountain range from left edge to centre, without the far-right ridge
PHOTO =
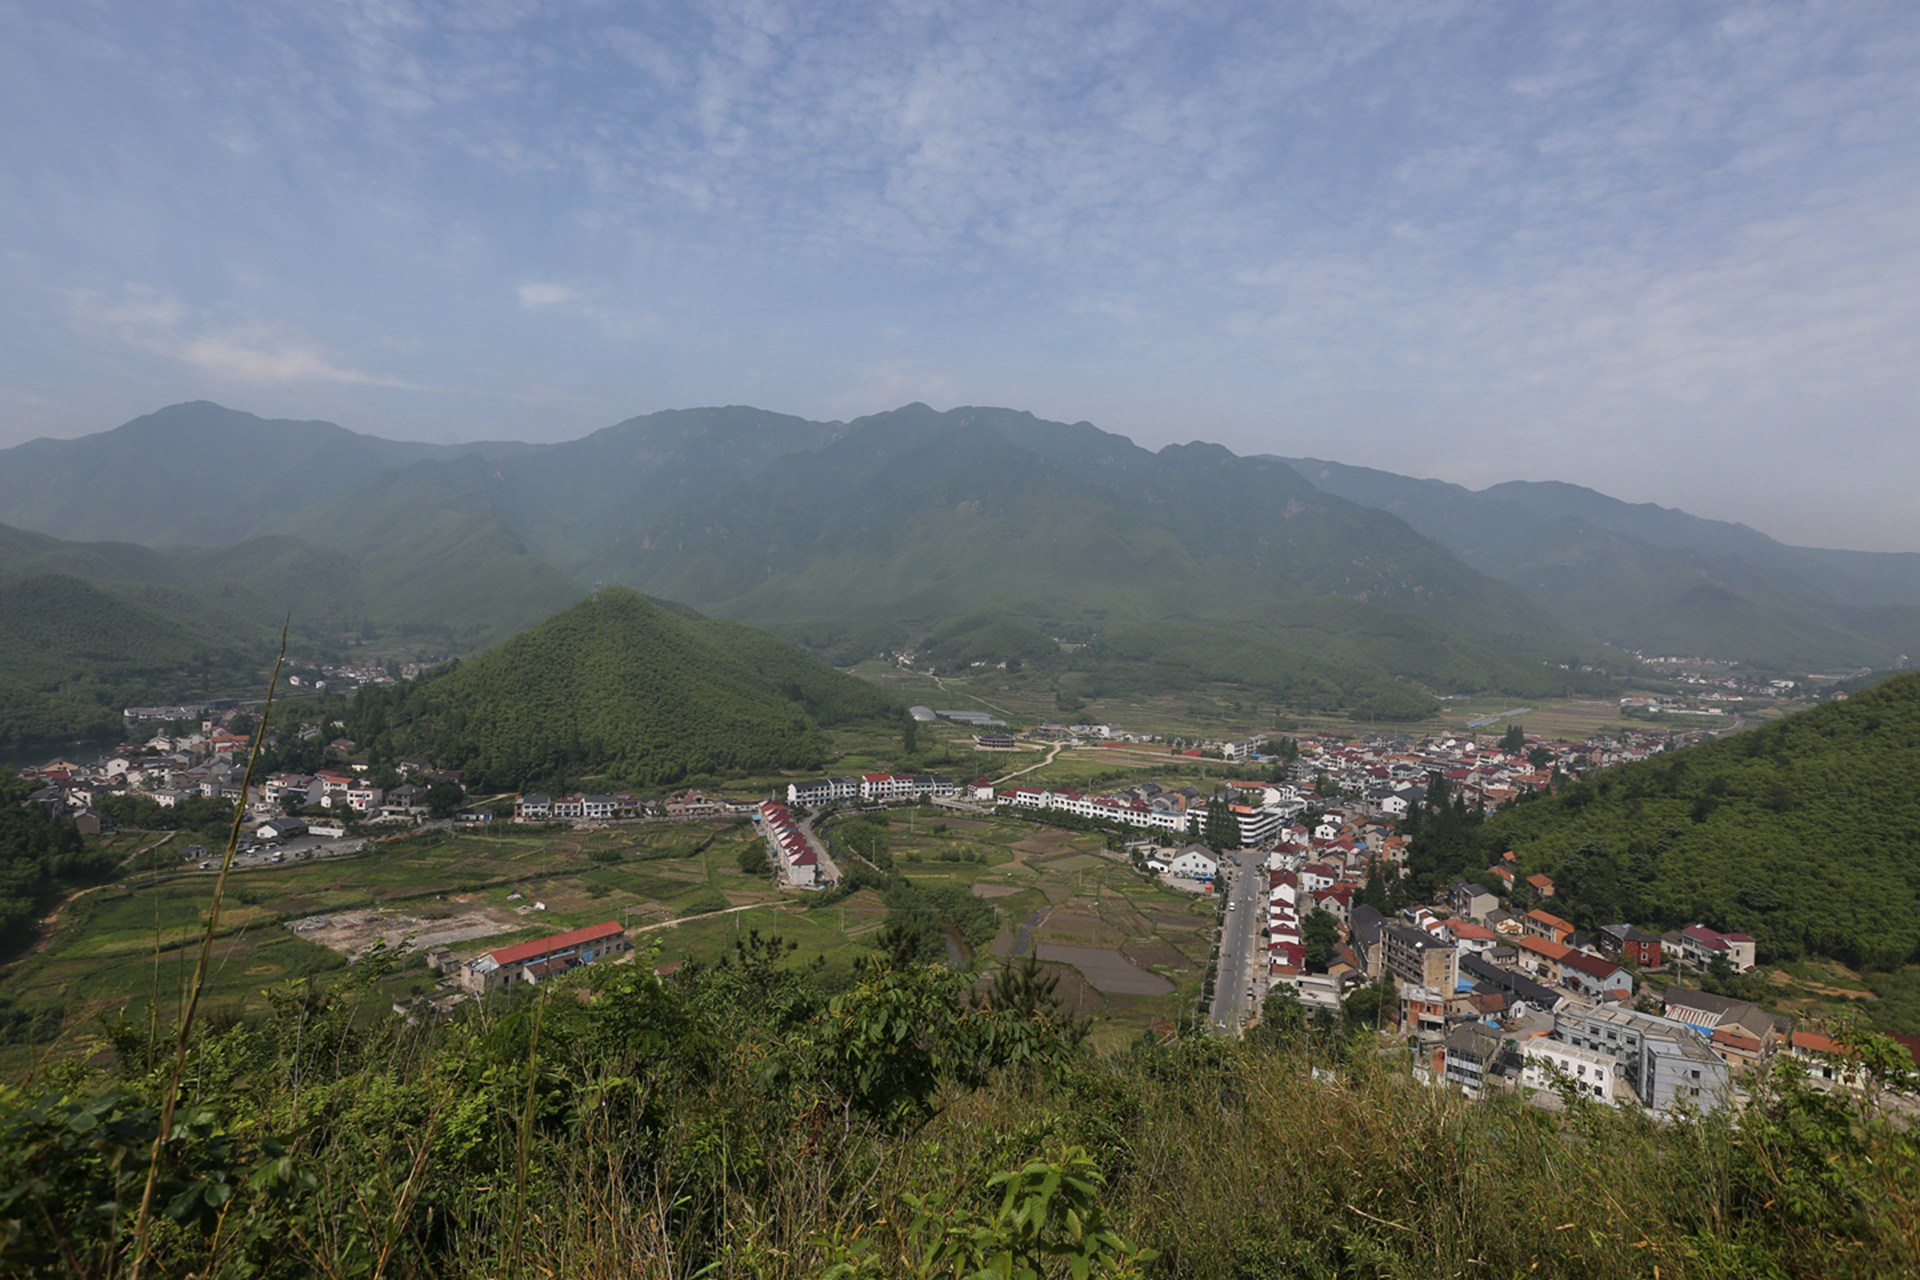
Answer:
(984, 534)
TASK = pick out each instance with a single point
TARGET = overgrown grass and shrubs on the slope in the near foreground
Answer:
(740, 1122)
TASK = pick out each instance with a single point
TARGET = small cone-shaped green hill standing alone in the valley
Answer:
(621, 688)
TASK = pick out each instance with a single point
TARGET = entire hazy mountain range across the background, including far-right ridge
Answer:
(859, 536)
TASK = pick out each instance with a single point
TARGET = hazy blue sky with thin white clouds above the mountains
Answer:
(1668, 250)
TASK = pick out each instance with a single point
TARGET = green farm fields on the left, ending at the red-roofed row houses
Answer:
(130, 947)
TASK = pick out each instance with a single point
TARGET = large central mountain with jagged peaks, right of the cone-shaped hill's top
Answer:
(917, 521)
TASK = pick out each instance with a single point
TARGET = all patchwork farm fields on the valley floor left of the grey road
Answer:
(126, 951)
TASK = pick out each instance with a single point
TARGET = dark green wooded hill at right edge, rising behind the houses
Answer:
(1804, 834)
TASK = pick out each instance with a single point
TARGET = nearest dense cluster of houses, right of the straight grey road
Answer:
(1525, 1001)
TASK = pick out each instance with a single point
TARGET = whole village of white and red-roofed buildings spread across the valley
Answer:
(1491, 989)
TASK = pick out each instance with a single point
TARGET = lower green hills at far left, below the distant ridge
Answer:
(91, 628)
